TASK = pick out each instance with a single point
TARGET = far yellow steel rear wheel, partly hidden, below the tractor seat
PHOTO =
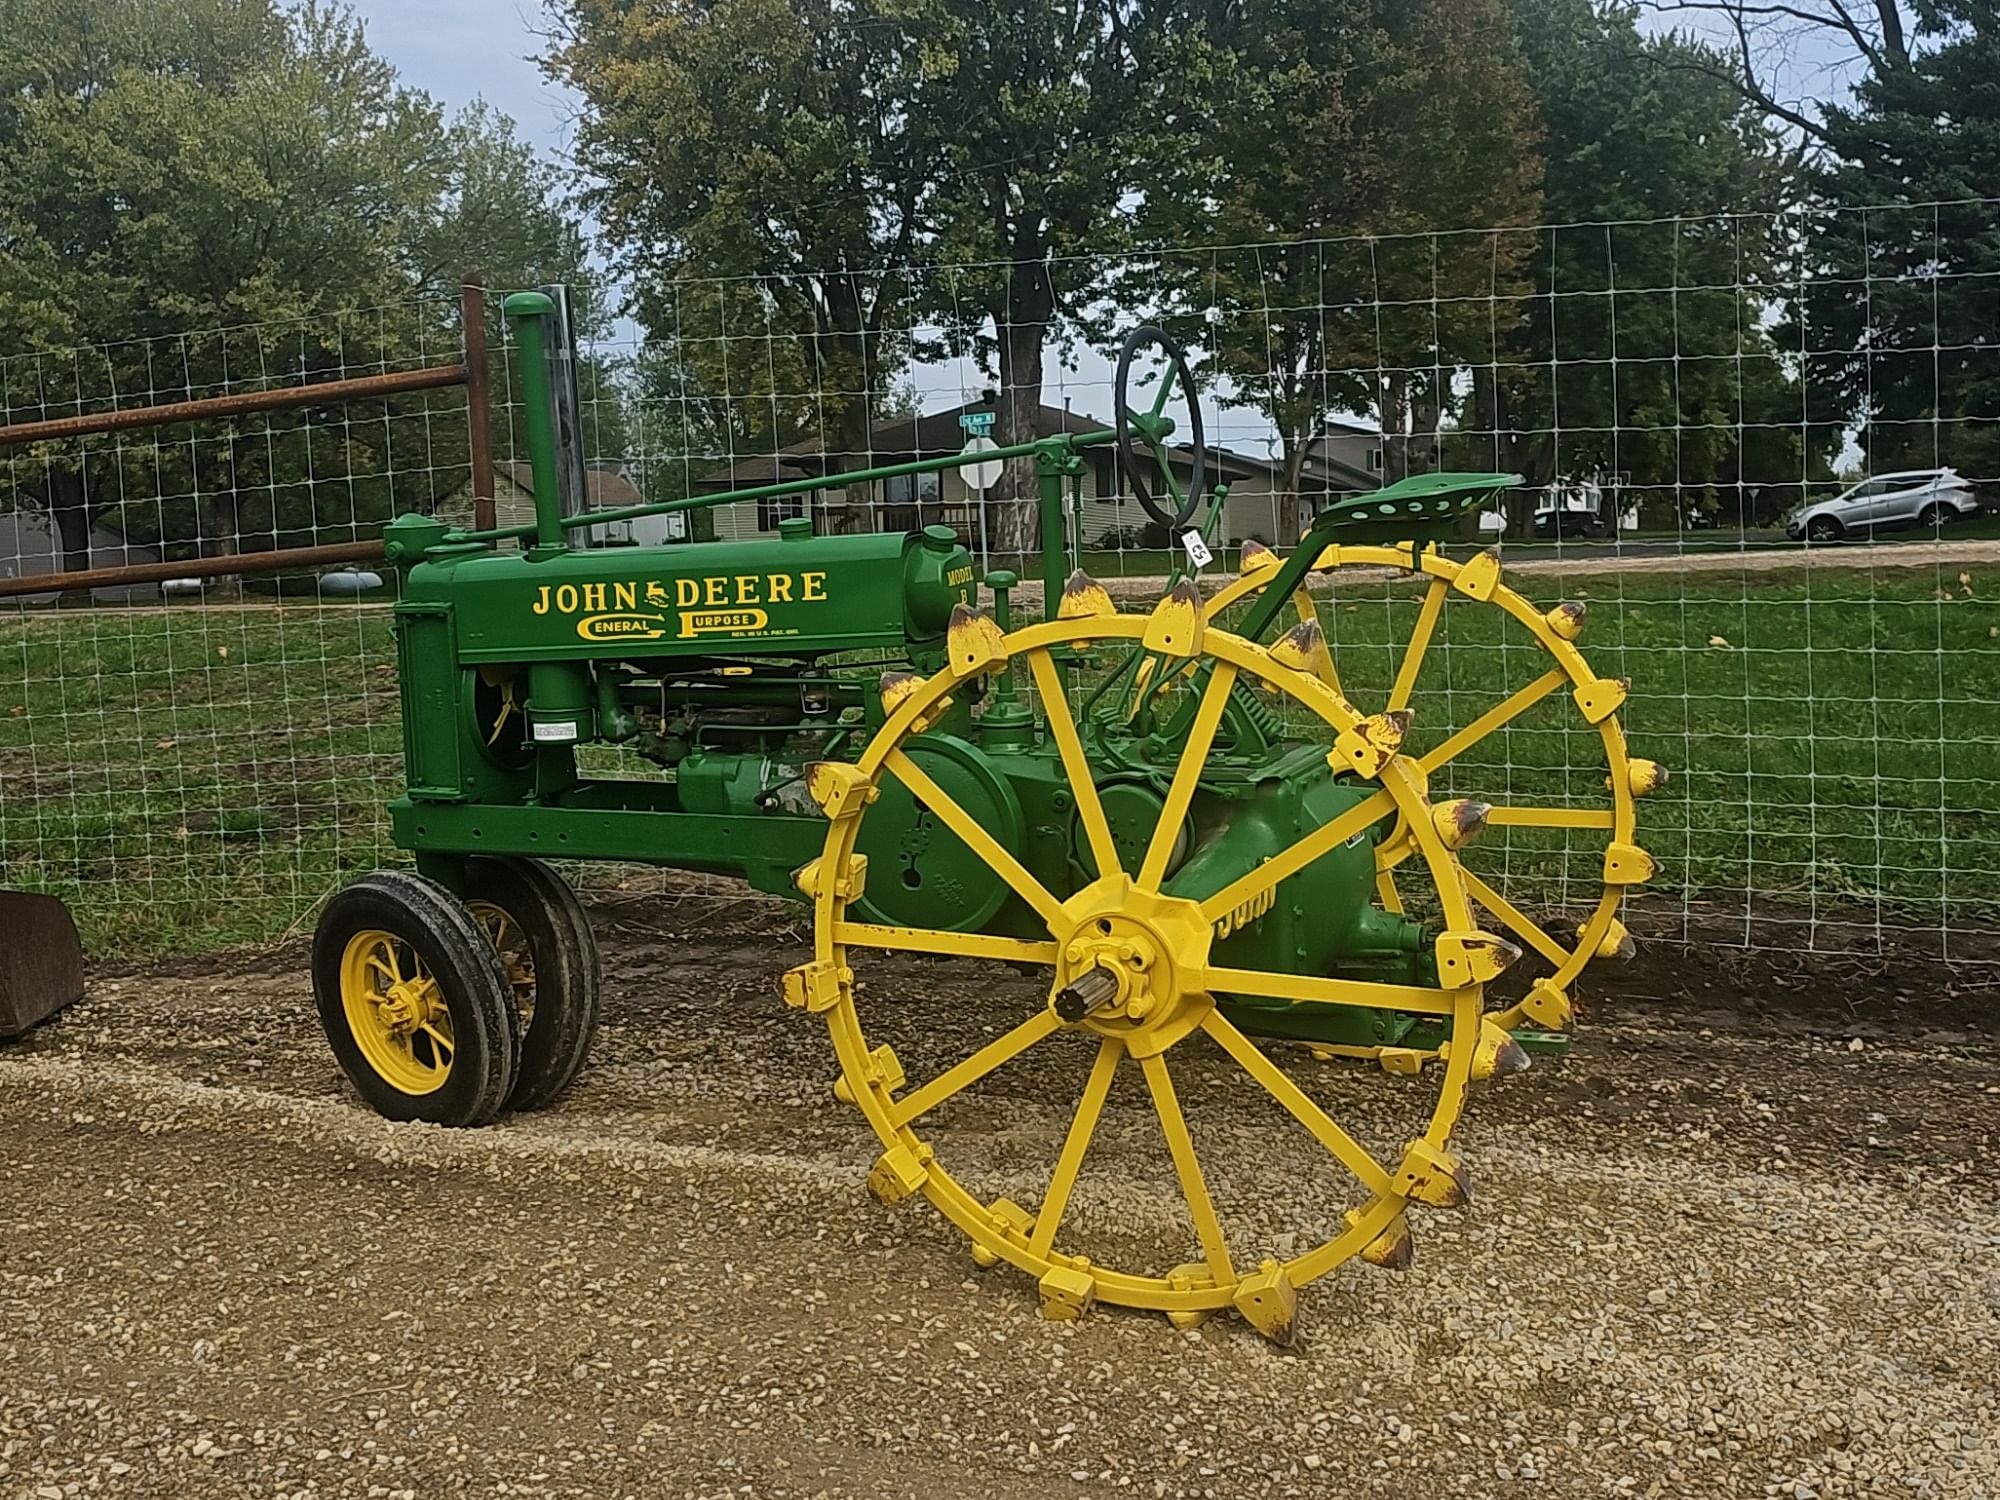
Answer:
(1597, 807)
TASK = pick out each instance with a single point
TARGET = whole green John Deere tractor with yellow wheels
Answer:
(1175, 821)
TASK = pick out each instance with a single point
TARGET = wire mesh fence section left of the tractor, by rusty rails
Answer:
(199, 761)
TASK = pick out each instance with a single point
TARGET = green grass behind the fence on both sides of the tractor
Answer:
(195, 779)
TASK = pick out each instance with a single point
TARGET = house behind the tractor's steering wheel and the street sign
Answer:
(1111, 515)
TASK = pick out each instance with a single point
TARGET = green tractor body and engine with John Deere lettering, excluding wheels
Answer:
(733, 667)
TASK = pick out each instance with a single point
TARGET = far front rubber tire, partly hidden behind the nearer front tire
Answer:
(563, 979)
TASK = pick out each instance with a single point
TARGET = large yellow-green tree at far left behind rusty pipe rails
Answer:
(195, 165)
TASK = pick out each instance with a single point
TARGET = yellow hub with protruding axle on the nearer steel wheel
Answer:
(1133, 965)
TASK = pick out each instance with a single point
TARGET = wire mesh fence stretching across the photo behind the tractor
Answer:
(1761, 449)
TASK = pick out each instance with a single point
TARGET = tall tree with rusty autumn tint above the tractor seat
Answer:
(1343, 139)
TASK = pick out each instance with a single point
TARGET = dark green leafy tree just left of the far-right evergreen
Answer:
(1645, 337)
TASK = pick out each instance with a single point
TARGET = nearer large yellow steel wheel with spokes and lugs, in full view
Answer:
(1131, 985)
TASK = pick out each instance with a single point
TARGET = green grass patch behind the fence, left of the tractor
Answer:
(193, 779)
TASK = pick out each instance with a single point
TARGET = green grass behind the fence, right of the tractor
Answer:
(1831, 737)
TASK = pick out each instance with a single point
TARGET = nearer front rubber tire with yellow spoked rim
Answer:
(425, 933)
